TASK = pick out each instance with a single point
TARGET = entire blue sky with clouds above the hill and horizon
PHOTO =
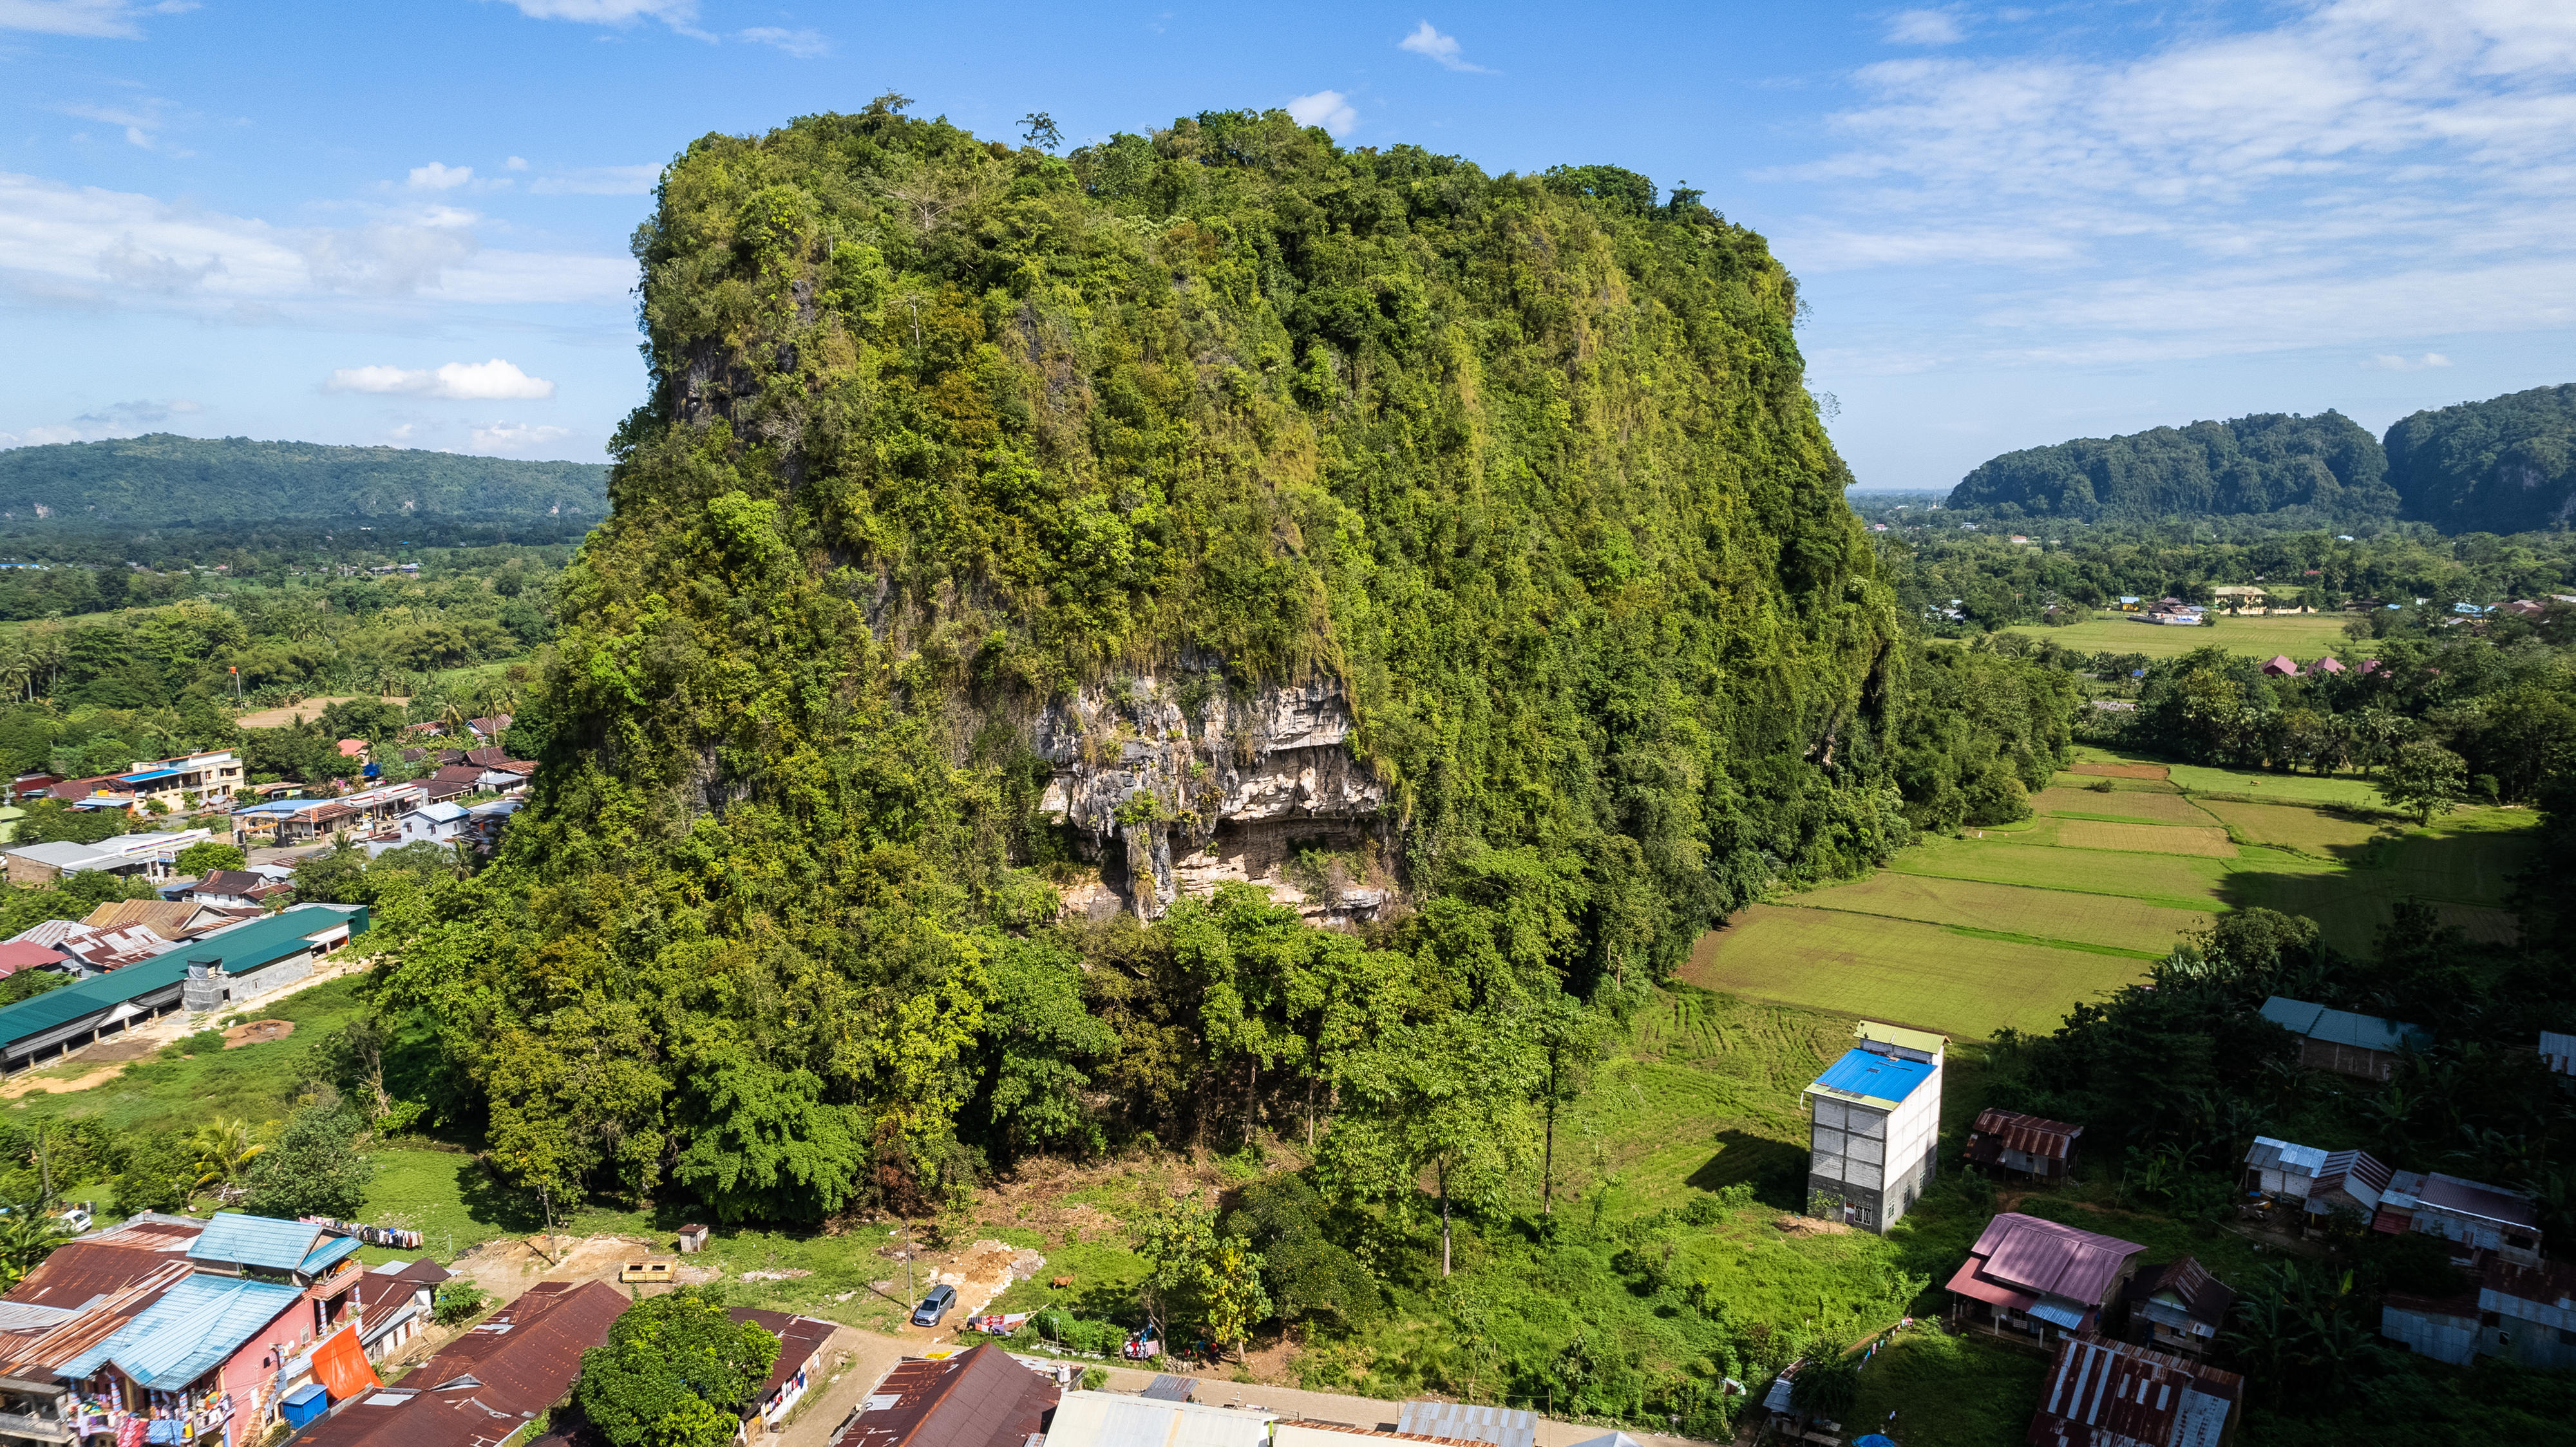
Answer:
(406, 223)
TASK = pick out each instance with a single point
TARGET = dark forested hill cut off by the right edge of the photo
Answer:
(2505, 465)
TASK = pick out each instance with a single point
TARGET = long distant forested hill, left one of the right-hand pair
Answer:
(2253, 465)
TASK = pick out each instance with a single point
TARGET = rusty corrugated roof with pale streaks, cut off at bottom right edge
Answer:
(2111, 1394)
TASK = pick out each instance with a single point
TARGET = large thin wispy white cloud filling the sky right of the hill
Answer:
(2361, 176)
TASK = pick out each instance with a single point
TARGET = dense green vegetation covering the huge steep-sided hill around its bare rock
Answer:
(944, 431)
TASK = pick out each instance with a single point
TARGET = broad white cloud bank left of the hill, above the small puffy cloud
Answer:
(81, 246)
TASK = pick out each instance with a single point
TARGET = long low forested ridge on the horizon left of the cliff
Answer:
(166, 480)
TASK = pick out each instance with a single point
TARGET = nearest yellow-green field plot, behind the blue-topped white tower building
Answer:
(1900, 972)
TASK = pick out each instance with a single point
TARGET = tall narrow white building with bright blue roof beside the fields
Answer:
(1874, 1126)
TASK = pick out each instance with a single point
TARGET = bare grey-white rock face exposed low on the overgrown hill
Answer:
(1181, 784)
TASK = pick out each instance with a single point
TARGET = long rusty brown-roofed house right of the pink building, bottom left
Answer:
(488, 1384)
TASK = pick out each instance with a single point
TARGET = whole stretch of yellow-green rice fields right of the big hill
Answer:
(2013, 926)
